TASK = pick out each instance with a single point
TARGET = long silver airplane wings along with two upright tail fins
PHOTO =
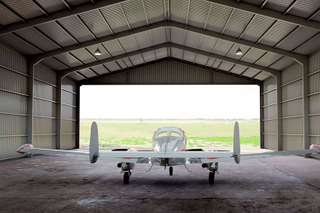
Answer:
(134, 156)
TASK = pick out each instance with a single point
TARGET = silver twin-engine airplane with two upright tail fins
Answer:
(169, 149)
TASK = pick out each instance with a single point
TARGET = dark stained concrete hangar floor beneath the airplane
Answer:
(62, 184)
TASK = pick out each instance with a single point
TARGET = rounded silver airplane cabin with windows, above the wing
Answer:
(169, 139)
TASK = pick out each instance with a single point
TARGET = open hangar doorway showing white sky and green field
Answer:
(128, 115)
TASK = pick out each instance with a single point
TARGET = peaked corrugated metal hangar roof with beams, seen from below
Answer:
(55, 28)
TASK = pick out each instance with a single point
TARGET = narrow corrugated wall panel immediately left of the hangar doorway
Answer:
(69, 114)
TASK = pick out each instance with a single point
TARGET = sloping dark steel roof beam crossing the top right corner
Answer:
(268, 13)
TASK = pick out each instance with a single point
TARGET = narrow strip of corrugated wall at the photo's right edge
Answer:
(314, 98)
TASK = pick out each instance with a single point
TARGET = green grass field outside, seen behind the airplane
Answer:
(202, 134)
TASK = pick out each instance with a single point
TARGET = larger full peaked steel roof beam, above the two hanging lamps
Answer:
(181, 26)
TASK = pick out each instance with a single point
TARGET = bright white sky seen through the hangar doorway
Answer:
(169, 101)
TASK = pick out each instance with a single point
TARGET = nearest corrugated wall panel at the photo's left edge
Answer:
(13, 102)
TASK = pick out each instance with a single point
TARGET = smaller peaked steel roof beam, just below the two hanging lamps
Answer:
(166, 45)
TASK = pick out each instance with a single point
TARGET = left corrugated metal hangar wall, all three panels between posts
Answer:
(13, 106)
